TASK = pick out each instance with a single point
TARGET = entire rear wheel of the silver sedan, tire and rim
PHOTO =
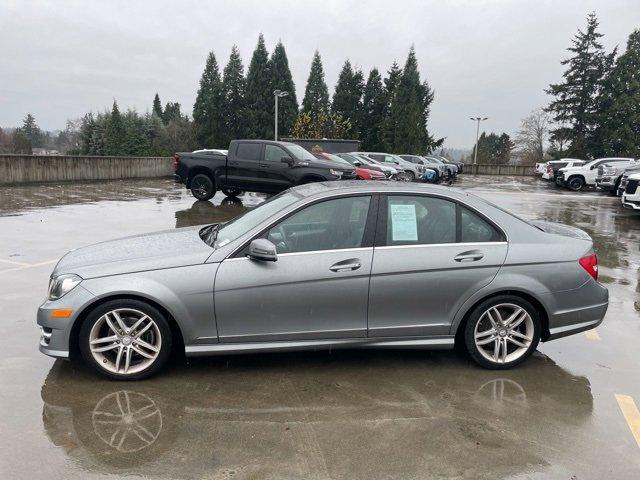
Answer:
(502, 332)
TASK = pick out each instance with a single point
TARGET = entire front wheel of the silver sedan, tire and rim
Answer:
(125, 340)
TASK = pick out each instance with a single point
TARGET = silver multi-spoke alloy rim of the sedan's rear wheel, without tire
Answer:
(504, 333)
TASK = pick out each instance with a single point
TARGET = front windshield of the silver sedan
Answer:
(234, 229)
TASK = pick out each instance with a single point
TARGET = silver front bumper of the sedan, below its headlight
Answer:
(55, 333)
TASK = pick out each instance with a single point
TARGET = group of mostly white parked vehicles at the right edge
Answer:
(618, 175)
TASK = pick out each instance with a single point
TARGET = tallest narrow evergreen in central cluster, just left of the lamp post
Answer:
(259, 95)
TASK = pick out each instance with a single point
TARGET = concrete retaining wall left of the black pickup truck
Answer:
(59, 168)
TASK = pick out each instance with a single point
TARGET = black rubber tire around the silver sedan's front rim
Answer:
(152, 312)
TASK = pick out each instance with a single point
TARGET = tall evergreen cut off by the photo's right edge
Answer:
(620, 121)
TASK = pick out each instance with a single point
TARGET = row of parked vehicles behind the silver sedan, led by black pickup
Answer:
(270, 167)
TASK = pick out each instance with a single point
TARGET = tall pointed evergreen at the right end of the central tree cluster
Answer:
(409, 111)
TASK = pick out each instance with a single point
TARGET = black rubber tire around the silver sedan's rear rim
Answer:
(475, 317)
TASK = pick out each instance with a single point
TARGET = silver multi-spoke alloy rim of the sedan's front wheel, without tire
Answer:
(125, 341)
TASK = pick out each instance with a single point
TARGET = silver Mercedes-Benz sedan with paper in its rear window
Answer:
(327, 265)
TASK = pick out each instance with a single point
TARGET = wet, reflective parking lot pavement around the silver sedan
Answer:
(567, 413)
